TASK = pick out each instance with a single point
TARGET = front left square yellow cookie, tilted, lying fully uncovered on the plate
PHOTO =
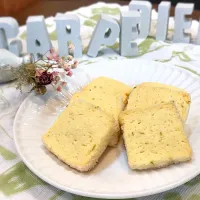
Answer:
(80, 135)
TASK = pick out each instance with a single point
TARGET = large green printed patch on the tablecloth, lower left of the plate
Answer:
(18, 178)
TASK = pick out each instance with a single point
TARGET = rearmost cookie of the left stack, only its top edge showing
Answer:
(110, 86)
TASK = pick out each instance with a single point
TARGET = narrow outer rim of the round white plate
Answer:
(126, 195)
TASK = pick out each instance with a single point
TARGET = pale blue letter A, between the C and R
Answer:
(38, 42)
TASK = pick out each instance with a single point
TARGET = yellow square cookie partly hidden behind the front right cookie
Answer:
(145, 96)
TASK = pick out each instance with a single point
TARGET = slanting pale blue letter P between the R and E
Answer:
(106, 32)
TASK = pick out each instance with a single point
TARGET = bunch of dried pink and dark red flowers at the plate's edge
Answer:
(51, 71)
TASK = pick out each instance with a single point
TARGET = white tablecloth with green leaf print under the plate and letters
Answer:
(17, 182)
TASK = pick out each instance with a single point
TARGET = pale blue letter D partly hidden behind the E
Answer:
(145, 9)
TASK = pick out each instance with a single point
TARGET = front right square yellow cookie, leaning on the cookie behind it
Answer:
(154, 137)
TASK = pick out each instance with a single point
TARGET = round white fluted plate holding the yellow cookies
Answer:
(112, 177)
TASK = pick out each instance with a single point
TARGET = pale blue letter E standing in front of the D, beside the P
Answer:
(129, 32)
